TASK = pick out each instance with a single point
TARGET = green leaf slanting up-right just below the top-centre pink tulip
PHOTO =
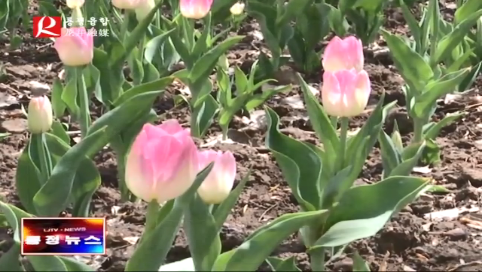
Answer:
(205, 65)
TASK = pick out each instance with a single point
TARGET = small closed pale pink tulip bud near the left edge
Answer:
(39, 115)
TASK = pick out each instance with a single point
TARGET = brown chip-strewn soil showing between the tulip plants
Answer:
(409, 242)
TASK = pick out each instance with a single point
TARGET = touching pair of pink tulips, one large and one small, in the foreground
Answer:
(164, 161)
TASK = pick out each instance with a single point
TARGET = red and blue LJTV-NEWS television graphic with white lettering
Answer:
(63, 236)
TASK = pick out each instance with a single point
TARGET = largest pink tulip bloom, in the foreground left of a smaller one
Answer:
(162, 163)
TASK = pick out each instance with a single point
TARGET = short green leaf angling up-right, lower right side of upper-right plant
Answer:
(425, 102)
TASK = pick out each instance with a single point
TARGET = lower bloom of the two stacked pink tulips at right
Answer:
(345, 93)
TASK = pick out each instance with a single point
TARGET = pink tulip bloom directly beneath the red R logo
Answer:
(75, 46)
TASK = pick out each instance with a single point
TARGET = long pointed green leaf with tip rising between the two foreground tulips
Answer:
(152, 251)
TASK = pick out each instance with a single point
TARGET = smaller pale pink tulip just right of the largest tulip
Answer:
(219, 182)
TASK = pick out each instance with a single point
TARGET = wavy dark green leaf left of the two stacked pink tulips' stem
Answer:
(300, 165)
